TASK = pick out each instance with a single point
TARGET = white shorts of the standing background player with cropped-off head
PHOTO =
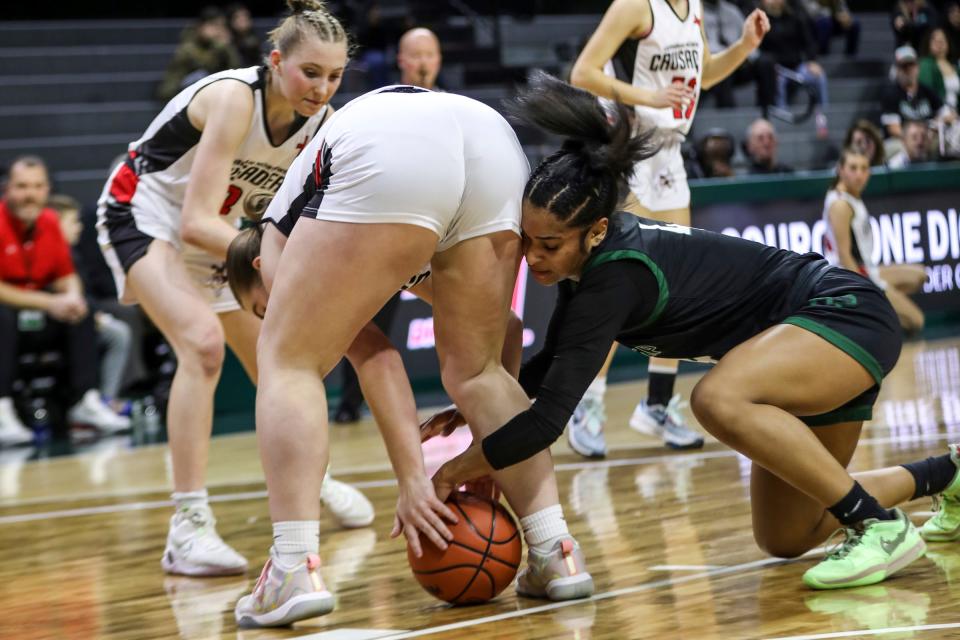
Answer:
(660, 183)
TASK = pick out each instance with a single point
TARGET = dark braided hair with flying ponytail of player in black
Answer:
(579, 183)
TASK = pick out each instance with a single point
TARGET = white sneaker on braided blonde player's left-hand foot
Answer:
(195, 549)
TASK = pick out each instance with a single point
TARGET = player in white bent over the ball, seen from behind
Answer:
(399, 177)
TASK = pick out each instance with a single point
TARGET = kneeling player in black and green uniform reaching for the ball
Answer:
(798, 344)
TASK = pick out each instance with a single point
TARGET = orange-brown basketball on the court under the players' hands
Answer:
(480, 561)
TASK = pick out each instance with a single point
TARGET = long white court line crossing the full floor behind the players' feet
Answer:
(373, 484)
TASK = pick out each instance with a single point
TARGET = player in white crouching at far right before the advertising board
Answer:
(849, 240)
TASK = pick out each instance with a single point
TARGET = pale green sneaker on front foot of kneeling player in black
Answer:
(872, 552)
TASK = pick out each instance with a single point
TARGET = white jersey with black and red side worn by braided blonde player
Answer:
(157, 167)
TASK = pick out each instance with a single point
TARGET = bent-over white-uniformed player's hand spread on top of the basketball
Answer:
(419, 511)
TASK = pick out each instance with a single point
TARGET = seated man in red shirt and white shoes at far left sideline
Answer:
(36, 273)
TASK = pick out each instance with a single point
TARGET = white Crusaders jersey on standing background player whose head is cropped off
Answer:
(672, 52)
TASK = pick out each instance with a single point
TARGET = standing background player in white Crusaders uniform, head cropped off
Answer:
(653, 55)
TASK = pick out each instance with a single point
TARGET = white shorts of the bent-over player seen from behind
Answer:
(402, 155)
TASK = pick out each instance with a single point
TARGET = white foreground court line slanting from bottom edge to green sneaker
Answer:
(607, 595)
